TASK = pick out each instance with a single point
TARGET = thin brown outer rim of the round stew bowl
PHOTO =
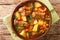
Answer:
(18, 8)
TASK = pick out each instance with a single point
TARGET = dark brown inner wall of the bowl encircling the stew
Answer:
(12, 19)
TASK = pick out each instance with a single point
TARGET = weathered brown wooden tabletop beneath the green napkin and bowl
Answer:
(7, 6)
